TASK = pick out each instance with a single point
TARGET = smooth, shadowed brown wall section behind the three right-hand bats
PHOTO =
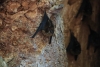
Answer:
(87, 58)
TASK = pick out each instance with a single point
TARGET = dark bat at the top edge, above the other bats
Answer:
(85, 8)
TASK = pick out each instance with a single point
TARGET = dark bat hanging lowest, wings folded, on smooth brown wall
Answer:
(74, 47)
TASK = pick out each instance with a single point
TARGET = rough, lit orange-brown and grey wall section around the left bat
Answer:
(19, 19)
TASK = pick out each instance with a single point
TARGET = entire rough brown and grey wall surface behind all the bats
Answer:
(19, 19)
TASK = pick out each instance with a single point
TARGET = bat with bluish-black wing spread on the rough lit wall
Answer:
(46, 26)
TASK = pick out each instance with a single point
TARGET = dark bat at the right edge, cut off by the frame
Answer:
(93, 39)
